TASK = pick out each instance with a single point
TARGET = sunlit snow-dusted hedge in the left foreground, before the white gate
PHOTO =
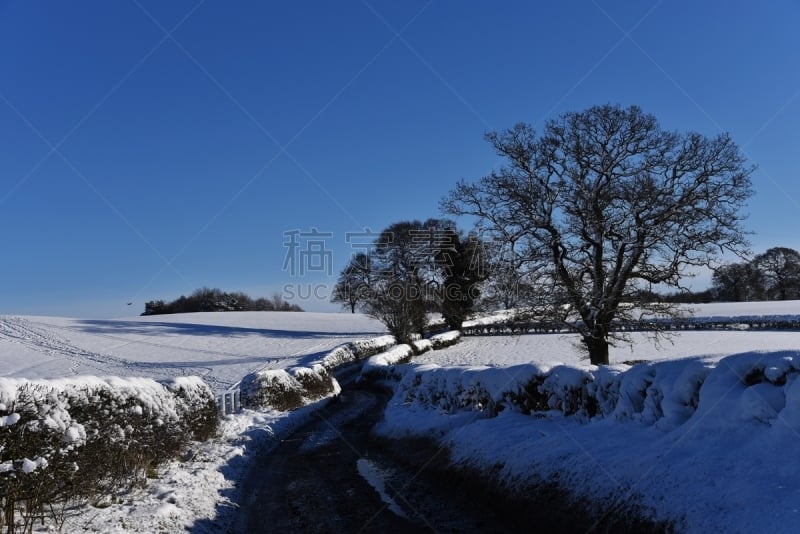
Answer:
(80, 438)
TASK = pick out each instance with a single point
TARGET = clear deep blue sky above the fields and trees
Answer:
(148, 148)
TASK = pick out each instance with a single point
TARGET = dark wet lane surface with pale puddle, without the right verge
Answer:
(323, 478)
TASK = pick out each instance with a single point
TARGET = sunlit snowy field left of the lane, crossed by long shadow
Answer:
(220, 347)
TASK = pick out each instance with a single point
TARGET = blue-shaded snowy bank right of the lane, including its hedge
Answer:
(691, 441)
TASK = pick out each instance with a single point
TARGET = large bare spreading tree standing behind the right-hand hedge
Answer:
(610, 204)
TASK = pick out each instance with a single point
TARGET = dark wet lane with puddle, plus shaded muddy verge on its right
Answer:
(333, 475)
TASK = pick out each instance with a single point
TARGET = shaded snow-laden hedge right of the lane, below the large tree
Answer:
(758, 387)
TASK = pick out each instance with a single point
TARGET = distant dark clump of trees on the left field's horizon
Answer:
(215, 300)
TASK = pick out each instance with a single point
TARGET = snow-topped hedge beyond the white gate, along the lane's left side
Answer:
(293, 387)
